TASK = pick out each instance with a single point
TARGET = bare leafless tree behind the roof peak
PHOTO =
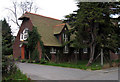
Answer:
(21, 8)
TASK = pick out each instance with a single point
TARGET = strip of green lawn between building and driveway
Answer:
(79, 65)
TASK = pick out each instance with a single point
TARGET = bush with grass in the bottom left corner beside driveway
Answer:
(10, 70)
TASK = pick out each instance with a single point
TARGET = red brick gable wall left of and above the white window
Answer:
(16, 49)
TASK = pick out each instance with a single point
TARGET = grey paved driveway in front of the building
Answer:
(44, 72)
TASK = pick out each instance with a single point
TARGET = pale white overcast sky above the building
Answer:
(50, 8)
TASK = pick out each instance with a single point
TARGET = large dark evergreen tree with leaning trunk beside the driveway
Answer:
(93, 27)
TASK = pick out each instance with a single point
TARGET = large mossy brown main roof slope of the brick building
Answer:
(45, 27)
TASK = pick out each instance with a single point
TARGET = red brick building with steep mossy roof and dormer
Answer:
(53, 35)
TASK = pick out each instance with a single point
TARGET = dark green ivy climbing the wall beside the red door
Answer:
(33, 39)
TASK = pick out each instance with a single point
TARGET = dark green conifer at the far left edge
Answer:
(6, 39)
